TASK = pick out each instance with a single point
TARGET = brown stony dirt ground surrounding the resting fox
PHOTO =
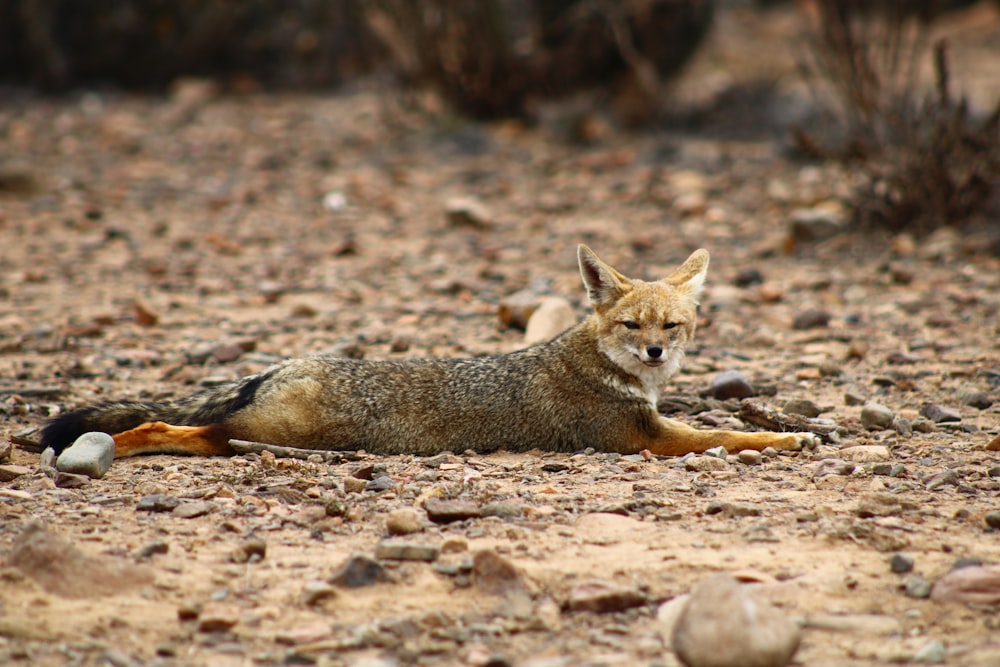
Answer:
(153, 246)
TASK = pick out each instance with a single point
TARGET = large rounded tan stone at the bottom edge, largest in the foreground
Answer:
(723, 625)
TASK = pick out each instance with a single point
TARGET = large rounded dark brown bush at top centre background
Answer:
(493, 58)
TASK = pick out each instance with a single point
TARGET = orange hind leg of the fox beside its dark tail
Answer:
(163, 438)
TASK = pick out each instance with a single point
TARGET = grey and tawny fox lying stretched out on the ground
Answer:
(596, 385)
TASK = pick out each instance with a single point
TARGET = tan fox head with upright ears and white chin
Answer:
(644, 327)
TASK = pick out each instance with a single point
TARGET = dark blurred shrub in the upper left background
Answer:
(56, 44)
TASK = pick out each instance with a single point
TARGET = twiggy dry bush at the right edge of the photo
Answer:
(925, 160)
